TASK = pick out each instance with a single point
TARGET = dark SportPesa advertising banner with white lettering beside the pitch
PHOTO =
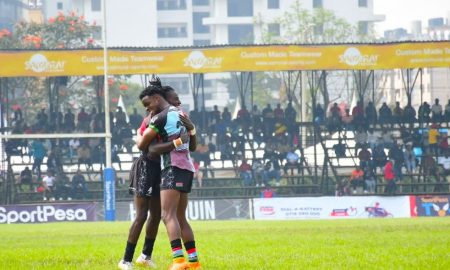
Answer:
(41, 213)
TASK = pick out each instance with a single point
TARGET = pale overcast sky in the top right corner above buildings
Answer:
(400, 13)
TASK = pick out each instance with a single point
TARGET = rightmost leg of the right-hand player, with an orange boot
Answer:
(186, 232)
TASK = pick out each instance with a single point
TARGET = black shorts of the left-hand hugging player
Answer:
(145, 177)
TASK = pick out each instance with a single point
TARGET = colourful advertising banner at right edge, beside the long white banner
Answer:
(430, 206)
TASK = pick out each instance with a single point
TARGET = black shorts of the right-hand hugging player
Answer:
(176, 178)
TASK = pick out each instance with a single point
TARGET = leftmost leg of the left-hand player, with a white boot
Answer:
(141, 205)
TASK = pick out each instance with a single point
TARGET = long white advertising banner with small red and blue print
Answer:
(331, 208)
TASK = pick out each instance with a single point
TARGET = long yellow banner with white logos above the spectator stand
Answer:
(225, 59)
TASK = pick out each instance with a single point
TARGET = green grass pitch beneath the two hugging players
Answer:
(421, 243)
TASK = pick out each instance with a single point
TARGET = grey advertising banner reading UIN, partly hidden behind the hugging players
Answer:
(231, 209)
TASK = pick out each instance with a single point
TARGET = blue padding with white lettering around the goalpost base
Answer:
(109, 198)
